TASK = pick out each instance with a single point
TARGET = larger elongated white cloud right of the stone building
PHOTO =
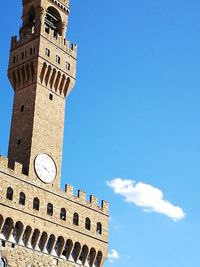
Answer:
(146, 196)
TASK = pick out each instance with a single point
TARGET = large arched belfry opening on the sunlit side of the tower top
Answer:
(53, 22)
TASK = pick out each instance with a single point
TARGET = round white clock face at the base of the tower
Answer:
(45, 168)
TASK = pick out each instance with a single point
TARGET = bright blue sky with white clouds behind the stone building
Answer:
(134, 114)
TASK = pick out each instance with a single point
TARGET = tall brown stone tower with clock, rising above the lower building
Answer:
(42, 72)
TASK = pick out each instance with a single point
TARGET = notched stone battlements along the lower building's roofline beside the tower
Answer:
(80, 197)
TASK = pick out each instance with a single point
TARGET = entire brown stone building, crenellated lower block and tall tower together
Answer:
(40, 225)
